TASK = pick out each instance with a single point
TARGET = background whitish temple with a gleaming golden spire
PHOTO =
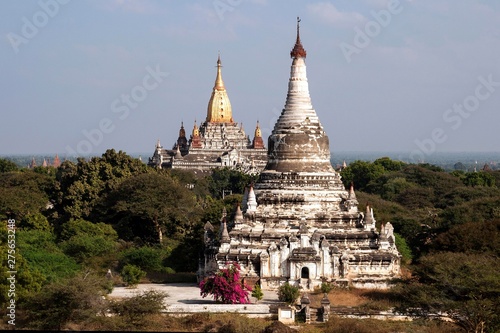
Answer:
(218, 142)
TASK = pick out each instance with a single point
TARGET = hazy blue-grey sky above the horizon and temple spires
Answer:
(84, 76)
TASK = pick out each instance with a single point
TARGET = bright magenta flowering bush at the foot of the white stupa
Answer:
(225, 286)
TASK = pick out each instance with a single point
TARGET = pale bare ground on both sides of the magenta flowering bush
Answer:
(183, 293)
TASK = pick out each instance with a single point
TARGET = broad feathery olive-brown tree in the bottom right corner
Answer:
(466, 287)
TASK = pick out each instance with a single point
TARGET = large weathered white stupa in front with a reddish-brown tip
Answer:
(298, 223)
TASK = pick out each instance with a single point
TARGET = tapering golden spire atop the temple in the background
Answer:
(219, 107)
